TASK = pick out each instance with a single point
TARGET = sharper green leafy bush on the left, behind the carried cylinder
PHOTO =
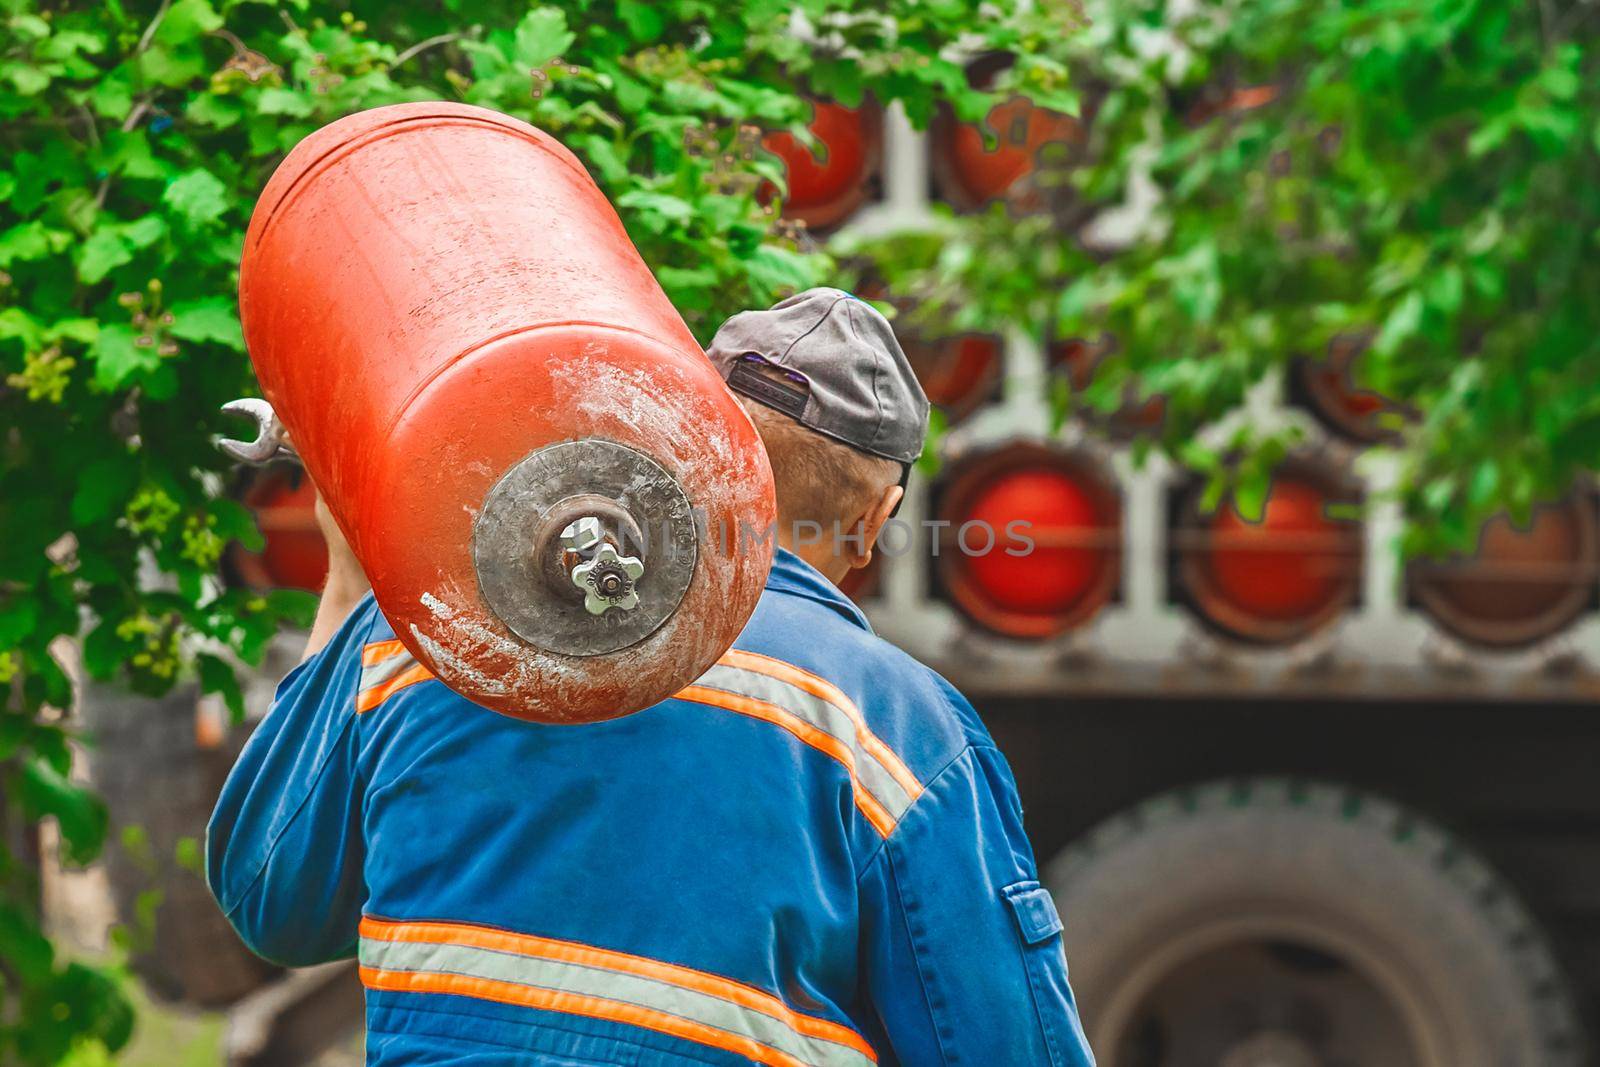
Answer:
(137, 138)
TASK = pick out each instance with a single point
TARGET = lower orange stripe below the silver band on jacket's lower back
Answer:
(575, 1005)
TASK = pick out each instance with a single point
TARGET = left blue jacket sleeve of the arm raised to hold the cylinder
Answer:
(284, 849)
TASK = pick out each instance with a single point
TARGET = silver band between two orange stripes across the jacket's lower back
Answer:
(630, 989)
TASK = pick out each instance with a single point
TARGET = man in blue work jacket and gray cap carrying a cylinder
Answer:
(814, 855)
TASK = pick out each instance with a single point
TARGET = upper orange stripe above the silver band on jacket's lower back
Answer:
(610, 961)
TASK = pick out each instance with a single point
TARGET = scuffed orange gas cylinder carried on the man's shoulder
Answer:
(540, 470)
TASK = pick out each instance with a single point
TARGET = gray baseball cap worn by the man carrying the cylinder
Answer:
(831, 362)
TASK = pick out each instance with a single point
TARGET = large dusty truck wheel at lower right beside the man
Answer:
(1273, 924)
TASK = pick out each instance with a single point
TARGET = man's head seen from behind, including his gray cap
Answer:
(841, 414)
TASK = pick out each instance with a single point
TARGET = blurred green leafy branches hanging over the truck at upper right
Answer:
(1428, 178)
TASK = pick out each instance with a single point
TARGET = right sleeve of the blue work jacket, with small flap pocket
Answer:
(964, 957)
